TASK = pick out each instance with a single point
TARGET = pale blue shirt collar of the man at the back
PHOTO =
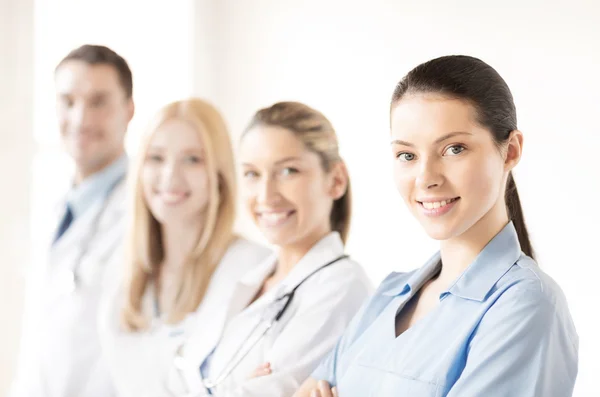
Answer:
(81, 197)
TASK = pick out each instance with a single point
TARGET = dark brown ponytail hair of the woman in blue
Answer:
(472, 80)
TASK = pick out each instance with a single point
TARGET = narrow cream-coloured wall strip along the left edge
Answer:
(16, 151)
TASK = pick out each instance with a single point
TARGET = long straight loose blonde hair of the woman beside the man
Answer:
(145, 251)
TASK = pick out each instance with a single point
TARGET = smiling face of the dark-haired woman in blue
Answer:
(447, 167)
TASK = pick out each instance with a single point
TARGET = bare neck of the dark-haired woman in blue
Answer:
(459, 252)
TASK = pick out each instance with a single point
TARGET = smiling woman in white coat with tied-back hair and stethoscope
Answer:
(288, 312)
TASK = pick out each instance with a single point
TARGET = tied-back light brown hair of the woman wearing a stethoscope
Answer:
(318, 135)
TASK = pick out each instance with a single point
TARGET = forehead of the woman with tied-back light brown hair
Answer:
(269, 144)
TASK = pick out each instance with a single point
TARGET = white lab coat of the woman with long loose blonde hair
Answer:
(139, 361)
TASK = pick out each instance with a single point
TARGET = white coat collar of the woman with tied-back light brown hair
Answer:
(327, 249)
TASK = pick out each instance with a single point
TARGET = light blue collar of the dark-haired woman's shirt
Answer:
(478, 279)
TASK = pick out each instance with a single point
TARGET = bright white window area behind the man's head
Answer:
(157, 44)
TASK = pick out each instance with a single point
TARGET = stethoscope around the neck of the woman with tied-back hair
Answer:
(272, 314)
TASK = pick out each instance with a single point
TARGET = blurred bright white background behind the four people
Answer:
(344, 59)
